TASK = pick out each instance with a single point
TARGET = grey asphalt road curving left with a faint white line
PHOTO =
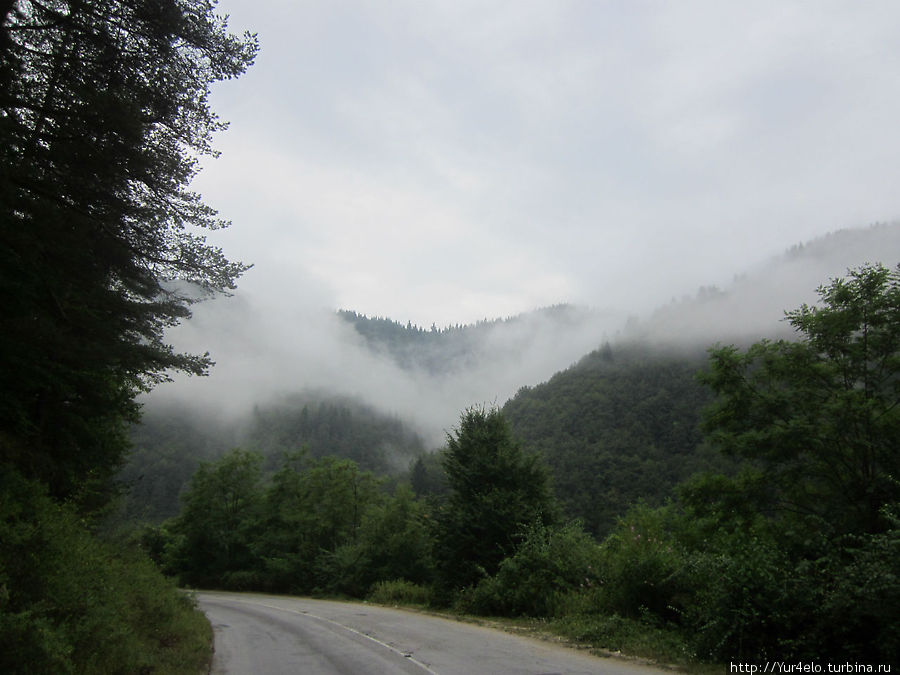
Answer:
(263, 634)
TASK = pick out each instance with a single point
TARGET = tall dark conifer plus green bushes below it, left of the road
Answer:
(103, 114)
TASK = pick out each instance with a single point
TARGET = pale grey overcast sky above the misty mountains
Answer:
(447, 161)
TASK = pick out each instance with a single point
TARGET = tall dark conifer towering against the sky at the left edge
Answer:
(103, 115)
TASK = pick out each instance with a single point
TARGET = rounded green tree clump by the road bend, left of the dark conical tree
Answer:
(318, 526)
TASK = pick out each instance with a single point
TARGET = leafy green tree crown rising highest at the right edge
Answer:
(819, 417)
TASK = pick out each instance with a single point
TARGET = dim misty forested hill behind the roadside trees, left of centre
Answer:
(171, 442)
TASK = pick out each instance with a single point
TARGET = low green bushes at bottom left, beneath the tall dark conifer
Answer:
(73, 603)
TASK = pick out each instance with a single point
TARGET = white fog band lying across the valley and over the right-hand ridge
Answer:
(267, 346)
